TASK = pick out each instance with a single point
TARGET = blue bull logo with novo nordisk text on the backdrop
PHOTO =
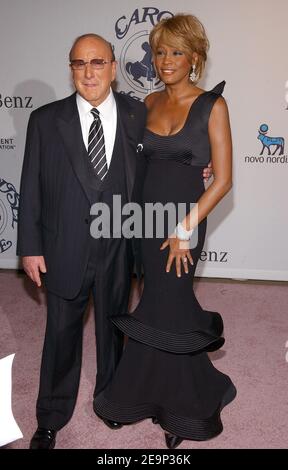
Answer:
(272, 150)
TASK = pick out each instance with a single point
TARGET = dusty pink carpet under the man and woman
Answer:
(254, 355)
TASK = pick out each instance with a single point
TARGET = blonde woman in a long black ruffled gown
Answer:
(165, 372)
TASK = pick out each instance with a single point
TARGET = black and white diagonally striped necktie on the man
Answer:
(96, 146)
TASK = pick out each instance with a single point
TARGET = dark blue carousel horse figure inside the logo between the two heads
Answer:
(144, 68)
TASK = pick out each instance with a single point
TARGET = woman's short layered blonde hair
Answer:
(185, 32)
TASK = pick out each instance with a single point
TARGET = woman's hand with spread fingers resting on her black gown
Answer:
(179, 250)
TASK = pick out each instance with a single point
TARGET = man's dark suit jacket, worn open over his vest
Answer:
(54, 212)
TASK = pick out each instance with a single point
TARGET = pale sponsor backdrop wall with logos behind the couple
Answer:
(248, 231)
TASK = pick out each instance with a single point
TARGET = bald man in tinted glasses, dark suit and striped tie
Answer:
(60, 181)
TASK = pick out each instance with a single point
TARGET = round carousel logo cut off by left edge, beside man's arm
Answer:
(9, 204)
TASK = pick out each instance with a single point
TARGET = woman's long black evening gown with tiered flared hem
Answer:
(165, 371)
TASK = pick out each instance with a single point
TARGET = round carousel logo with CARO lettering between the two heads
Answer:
(136, 56)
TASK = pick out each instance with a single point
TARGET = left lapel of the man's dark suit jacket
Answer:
(69, 127)
